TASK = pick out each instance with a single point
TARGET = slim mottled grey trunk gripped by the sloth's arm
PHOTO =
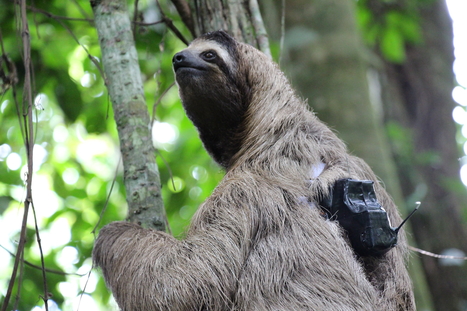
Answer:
(123, 78)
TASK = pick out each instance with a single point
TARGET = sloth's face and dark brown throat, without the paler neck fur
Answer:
(215, 91)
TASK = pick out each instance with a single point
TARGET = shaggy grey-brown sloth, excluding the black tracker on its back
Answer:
(260, 241)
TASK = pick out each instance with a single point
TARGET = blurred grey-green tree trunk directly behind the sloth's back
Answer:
(328, 63)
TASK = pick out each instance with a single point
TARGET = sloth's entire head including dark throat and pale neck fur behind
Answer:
(232, 92)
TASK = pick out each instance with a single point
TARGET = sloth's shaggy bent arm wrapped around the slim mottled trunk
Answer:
(151, 270)
